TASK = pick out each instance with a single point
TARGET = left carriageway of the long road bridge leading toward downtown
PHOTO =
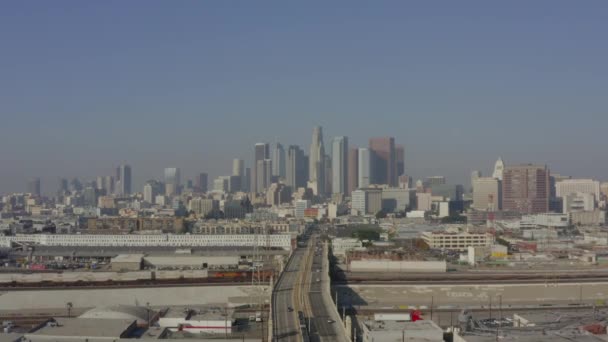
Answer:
(286, 324)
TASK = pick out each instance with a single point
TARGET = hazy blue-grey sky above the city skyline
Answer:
(86, 85)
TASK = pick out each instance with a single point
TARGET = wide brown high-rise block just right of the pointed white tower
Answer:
(525, 189)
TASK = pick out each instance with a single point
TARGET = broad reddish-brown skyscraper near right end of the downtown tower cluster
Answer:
(383, 161)
